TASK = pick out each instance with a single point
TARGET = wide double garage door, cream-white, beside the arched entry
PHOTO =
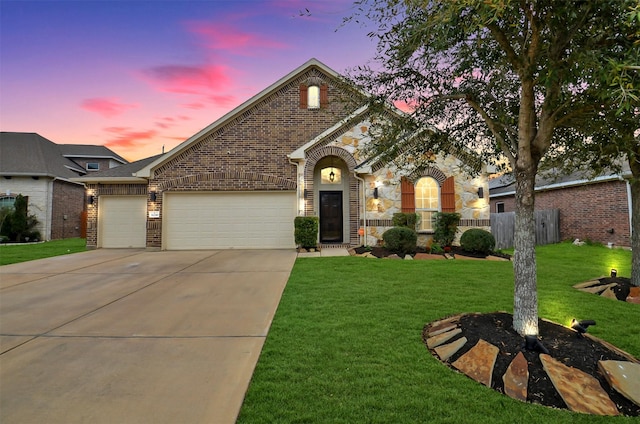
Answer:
(252, 220)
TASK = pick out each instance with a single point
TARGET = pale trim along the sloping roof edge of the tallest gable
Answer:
(147, 171)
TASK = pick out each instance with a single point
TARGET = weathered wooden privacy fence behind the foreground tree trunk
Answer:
(547, 227)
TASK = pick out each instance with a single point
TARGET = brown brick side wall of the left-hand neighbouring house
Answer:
(66, 210)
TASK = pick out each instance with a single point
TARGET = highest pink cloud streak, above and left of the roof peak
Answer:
(226, 37)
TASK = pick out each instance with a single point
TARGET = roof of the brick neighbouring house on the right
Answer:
(504, 185)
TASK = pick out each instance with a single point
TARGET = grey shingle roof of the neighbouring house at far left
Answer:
(30, 154)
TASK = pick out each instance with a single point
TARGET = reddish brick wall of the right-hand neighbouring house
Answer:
(586, 211)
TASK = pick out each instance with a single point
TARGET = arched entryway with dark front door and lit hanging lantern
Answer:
(331, 181)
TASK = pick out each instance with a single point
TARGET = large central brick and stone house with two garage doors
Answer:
(290, 150)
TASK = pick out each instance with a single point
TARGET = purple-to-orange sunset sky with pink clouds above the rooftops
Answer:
(138, 75)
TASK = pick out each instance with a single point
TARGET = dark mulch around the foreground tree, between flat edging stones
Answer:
(563, 344)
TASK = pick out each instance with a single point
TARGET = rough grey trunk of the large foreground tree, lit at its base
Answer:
(525, 297)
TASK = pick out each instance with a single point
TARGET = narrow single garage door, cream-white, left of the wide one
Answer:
(122, 221)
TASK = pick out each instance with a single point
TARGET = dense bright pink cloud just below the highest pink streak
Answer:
(188, 79)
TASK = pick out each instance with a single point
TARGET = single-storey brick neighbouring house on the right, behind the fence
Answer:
(596, 209)
